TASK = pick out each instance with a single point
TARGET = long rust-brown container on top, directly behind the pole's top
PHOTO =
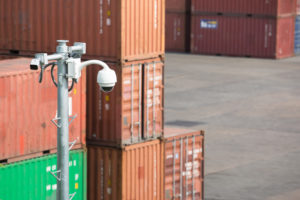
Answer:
(113, 30)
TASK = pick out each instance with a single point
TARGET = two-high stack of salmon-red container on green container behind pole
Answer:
(28, 138)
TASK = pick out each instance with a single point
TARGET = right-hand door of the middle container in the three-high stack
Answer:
(153, 100)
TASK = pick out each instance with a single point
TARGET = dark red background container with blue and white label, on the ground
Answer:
(243, 36)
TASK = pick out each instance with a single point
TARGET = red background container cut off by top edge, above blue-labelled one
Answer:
(254, 7)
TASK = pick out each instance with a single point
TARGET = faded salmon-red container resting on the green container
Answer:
(26, 108)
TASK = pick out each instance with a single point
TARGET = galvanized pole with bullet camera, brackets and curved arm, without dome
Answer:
(68, 68)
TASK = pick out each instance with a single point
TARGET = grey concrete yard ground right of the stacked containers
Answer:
(250, 110)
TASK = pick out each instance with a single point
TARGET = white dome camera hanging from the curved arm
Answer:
(106, 79)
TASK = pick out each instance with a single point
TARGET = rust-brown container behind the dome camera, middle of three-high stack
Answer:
(120, 117)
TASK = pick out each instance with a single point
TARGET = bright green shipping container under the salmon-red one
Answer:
(31, 179)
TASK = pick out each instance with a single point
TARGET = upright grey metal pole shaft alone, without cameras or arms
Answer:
(63, 121)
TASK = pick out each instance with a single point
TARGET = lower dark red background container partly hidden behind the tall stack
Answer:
(176, 37)
